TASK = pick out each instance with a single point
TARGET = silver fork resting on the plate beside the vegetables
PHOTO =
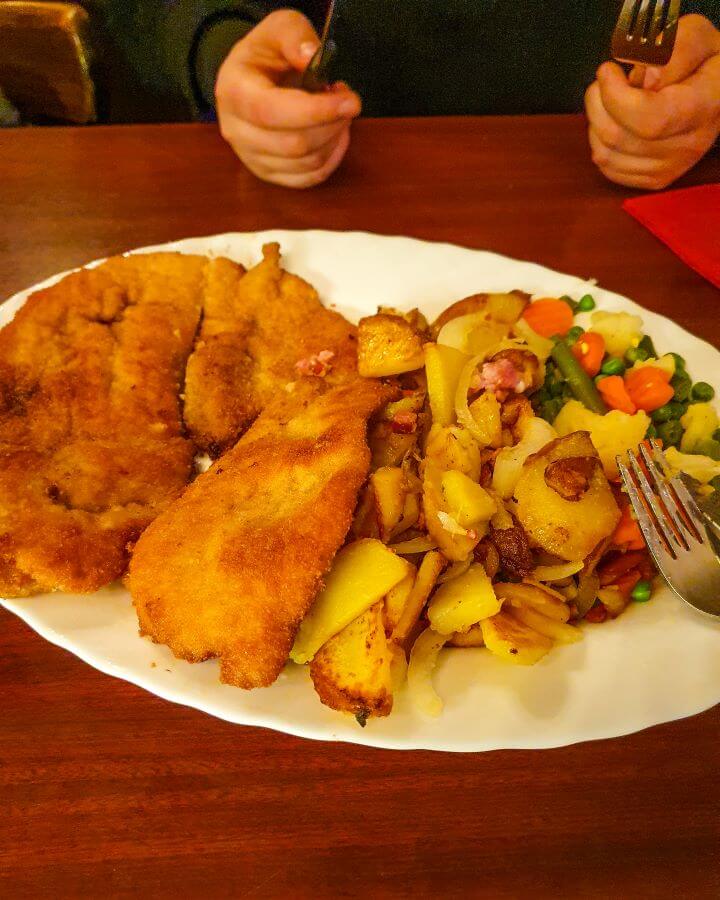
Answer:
(674, 529)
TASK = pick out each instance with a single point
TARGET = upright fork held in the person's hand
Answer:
(645, 35)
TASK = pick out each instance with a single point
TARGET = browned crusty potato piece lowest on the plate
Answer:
(353, 672)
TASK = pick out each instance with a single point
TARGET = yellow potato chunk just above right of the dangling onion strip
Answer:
(463, 602)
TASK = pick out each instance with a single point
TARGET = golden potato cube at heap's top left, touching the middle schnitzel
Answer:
(388, 345)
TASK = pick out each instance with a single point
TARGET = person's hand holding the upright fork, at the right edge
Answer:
(648, 137)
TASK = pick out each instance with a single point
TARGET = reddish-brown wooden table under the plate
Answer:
(106, 790)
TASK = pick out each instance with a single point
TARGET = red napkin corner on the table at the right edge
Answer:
(688, 221)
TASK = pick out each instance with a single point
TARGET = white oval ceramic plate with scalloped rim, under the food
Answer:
(660, 661)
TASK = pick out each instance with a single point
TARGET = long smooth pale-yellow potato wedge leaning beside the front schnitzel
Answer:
(362, 574)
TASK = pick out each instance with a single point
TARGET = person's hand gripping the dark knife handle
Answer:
(282, 134)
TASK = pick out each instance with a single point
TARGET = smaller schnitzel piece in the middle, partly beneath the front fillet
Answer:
(256, 328)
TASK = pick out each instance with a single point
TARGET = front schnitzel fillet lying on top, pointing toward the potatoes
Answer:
(233, 566)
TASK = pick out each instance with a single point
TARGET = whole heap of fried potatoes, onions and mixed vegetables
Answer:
(494, 515)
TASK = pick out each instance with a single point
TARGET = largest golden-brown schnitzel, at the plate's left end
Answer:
(91, 435)
